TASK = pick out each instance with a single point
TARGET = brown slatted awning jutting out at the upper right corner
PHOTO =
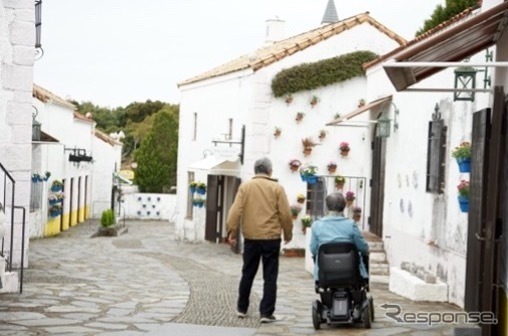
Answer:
(452, 44)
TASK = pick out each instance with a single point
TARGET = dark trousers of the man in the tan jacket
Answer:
(268, 252)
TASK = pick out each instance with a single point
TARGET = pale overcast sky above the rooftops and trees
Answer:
(115, 52)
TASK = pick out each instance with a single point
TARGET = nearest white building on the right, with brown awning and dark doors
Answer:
(418, 214)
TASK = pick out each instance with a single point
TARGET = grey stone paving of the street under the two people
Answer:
(146, 283)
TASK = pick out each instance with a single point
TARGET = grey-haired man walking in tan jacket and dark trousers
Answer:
(262, 205)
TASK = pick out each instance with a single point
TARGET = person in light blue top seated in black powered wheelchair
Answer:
(334, 234)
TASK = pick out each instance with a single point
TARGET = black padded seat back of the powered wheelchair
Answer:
(338, 265)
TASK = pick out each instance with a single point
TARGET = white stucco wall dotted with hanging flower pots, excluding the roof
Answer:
(247, 99)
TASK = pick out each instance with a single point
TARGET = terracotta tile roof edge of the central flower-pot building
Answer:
(267, 55)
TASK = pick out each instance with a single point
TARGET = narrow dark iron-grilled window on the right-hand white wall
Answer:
(436, 149)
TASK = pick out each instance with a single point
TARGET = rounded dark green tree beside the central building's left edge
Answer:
(157, 155)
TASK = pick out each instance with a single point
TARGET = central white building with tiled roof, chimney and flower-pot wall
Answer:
(237, 99)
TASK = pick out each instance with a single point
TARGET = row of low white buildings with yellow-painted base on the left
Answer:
(74, 152)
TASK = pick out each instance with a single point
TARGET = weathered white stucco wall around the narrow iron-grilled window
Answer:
(421, 227)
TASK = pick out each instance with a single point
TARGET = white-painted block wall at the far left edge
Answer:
(17, 36)
